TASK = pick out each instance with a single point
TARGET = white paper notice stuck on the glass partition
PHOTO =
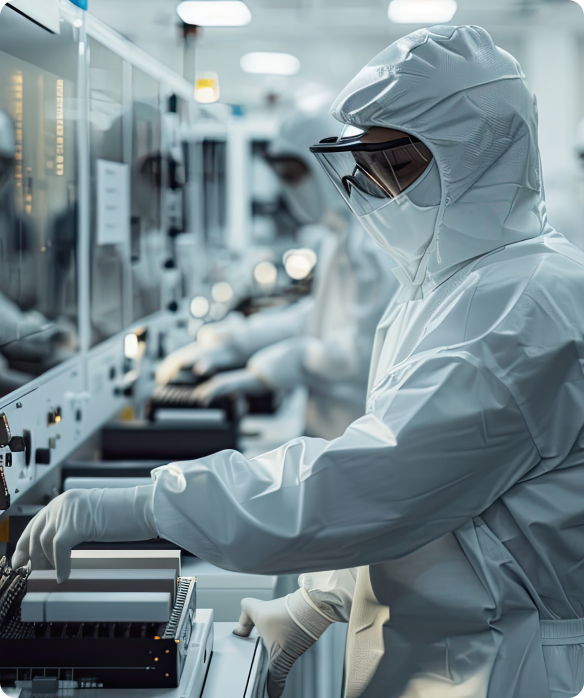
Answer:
(113, 203)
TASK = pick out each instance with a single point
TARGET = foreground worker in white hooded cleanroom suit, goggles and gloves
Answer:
(458, 497)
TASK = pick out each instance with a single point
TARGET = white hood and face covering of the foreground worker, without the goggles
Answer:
(469, 102)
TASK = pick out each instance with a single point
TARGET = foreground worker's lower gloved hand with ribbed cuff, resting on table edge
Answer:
(288, 626)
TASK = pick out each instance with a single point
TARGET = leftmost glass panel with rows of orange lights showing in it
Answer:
(38, 198)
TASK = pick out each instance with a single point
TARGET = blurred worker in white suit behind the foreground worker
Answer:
(324, 341)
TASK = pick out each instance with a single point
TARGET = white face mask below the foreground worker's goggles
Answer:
(404, 229)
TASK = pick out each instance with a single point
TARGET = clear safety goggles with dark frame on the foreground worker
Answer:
(373, 167)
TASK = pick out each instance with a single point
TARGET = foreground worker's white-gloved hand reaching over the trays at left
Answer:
(83, 516)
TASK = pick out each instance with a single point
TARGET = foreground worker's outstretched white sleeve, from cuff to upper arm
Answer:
(444, 440)
